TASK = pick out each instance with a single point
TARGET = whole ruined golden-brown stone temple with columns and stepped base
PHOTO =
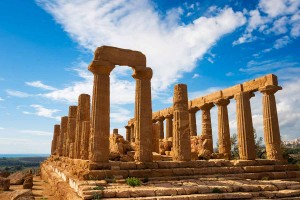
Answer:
(163, 148)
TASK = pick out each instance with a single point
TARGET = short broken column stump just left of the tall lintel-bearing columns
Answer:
(85, 139)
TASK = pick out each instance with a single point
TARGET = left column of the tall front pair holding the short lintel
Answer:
(99, 146)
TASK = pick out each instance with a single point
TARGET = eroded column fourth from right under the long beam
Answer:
(206, 125)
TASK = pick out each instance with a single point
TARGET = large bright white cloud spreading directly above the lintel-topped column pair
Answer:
(171, 47)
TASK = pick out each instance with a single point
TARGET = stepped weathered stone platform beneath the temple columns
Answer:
(236, 179)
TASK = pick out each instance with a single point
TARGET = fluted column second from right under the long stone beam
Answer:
(245, 126)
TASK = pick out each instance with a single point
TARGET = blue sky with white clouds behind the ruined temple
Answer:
(46, 45)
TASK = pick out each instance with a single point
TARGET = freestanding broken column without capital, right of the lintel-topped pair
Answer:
(181, 130)
